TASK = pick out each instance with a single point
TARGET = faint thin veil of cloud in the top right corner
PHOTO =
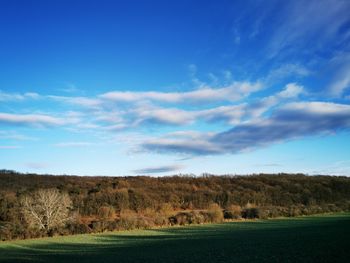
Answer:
(305, 23)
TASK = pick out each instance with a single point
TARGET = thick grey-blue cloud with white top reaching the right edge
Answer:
(294, 120)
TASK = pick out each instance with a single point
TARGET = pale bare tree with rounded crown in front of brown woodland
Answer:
(46, 208)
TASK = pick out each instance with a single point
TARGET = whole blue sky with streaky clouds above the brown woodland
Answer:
(167, 87)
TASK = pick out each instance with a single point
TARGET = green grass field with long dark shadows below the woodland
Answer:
(323, 238)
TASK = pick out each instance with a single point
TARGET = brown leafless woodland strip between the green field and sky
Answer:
(111, 203)
